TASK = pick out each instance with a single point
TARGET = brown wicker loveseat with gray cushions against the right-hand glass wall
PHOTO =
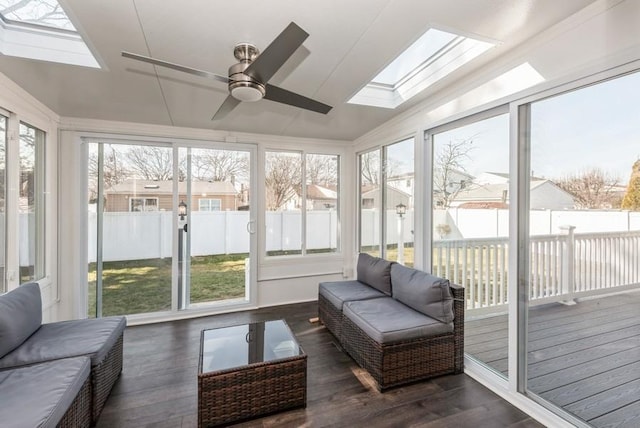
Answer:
(400, 324)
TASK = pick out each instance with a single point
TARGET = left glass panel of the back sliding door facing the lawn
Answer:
(130, 223)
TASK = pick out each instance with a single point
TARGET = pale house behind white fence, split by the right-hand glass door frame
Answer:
(492, 191)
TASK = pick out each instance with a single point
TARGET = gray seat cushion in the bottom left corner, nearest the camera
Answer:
(39, 395)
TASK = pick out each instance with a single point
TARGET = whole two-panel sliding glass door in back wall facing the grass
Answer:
(170, 227)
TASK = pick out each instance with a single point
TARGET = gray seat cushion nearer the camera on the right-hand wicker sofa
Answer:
(386, 320)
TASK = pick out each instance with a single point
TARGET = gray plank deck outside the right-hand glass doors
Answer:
(584, 358)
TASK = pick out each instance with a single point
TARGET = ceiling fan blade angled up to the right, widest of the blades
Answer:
(276, 54)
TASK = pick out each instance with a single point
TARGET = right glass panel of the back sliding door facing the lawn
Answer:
(218, 237)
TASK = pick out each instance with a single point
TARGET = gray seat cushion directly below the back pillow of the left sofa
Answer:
(91, 337)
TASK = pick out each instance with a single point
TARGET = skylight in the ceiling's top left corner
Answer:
(40, 29)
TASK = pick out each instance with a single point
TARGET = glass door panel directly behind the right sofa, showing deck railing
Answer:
(470, 229)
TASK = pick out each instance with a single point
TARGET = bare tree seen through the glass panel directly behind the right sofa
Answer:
(449, 169)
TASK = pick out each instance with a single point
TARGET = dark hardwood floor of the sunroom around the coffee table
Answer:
(158, 386)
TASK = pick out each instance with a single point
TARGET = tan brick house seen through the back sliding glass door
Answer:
(149, 195)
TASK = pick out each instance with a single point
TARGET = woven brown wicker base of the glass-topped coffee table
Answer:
(251, 391)
